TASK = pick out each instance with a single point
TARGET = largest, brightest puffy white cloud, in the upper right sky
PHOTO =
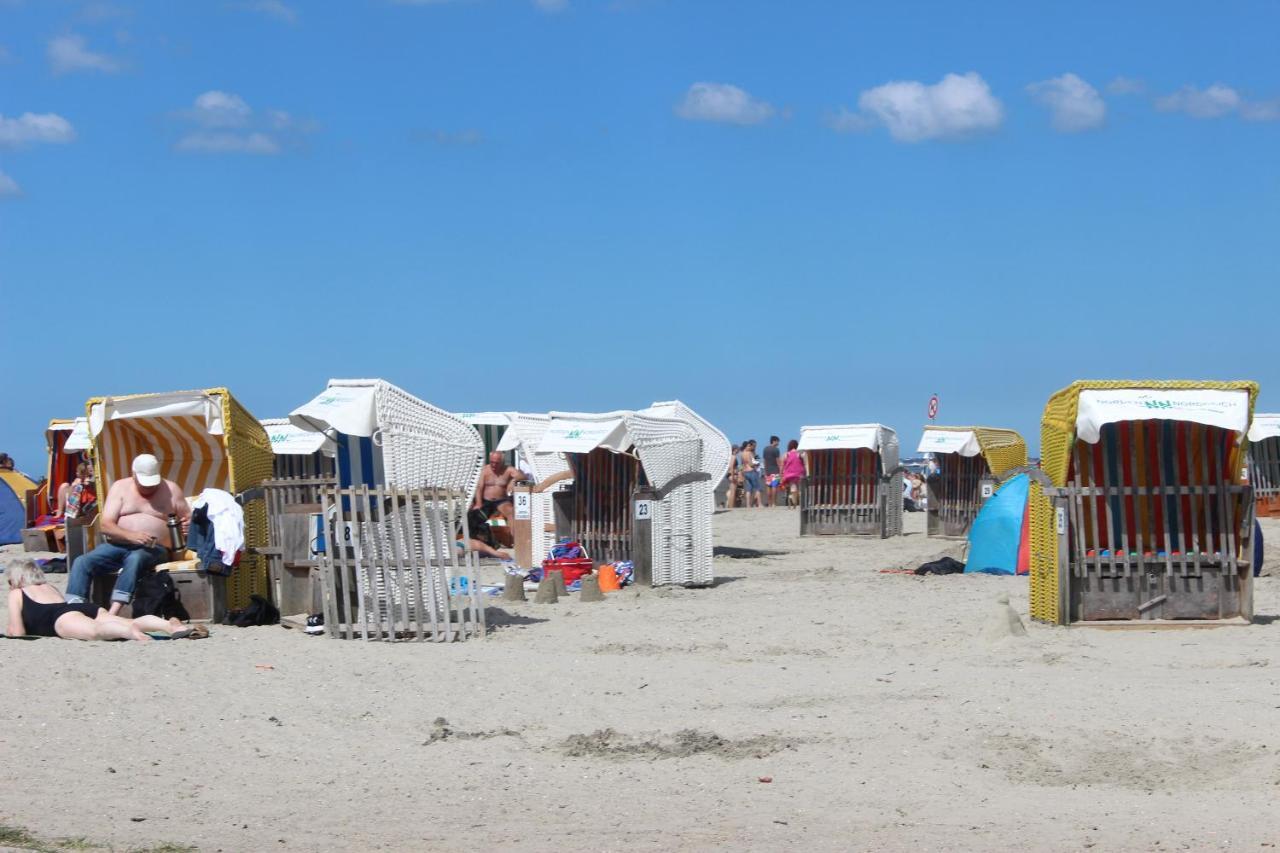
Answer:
(958, 106)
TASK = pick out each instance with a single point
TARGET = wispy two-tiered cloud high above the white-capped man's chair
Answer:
(225, 124)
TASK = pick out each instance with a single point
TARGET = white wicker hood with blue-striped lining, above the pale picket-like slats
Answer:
(386, 436)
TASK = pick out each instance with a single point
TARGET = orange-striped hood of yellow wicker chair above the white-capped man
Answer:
(202, 439)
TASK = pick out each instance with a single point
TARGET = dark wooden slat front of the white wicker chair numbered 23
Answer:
(600, 503)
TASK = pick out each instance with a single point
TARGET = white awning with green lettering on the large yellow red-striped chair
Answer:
(1224, 409)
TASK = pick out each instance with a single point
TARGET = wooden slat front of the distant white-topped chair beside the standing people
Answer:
(844, 494)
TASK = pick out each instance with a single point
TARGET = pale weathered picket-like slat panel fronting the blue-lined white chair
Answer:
(391, 569)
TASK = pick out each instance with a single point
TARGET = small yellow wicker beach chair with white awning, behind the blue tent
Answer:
(972, 462)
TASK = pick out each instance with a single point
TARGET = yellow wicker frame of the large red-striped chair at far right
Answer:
(1058, 439)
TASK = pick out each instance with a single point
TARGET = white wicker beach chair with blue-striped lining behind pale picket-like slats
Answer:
(405, 468)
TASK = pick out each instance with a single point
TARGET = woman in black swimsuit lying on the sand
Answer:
(39, 610)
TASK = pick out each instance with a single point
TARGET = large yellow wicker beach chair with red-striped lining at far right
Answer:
(1142, 513)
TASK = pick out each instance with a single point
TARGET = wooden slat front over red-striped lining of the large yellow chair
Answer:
(1155, 524)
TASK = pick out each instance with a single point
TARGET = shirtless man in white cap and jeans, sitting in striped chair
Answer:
(136, 524)
